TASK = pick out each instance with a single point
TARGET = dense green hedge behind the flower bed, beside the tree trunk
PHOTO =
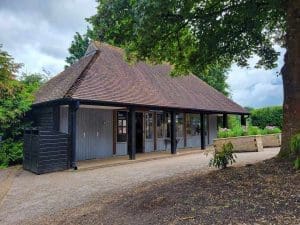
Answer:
(267, 116)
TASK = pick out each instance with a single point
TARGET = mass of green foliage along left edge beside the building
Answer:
(15, 100)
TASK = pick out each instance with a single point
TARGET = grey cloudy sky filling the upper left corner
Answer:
(39, 33)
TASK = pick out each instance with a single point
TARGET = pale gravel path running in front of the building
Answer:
(31, 196)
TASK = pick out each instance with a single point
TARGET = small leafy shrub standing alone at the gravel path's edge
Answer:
(222, 158)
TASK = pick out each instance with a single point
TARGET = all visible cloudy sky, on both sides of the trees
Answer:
(38, 34)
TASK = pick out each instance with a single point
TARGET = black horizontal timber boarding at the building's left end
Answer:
(45, 148)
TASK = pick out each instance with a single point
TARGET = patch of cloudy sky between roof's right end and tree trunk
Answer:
(256, 87)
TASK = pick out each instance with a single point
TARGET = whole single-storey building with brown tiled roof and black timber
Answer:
(103, 106)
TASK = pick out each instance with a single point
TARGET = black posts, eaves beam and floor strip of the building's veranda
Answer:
(74, 105)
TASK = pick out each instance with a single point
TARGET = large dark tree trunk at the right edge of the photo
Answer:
(291, 77)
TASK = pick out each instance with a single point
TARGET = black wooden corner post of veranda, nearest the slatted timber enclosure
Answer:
(73, 107)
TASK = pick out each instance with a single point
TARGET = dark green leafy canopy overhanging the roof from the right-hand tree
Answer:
(193, 33)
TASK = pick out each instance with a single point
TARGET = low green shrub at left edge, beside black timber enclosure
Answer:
(11, 152)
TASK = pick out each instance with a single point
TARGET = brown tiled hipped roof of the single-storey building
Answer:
(105, 76)
